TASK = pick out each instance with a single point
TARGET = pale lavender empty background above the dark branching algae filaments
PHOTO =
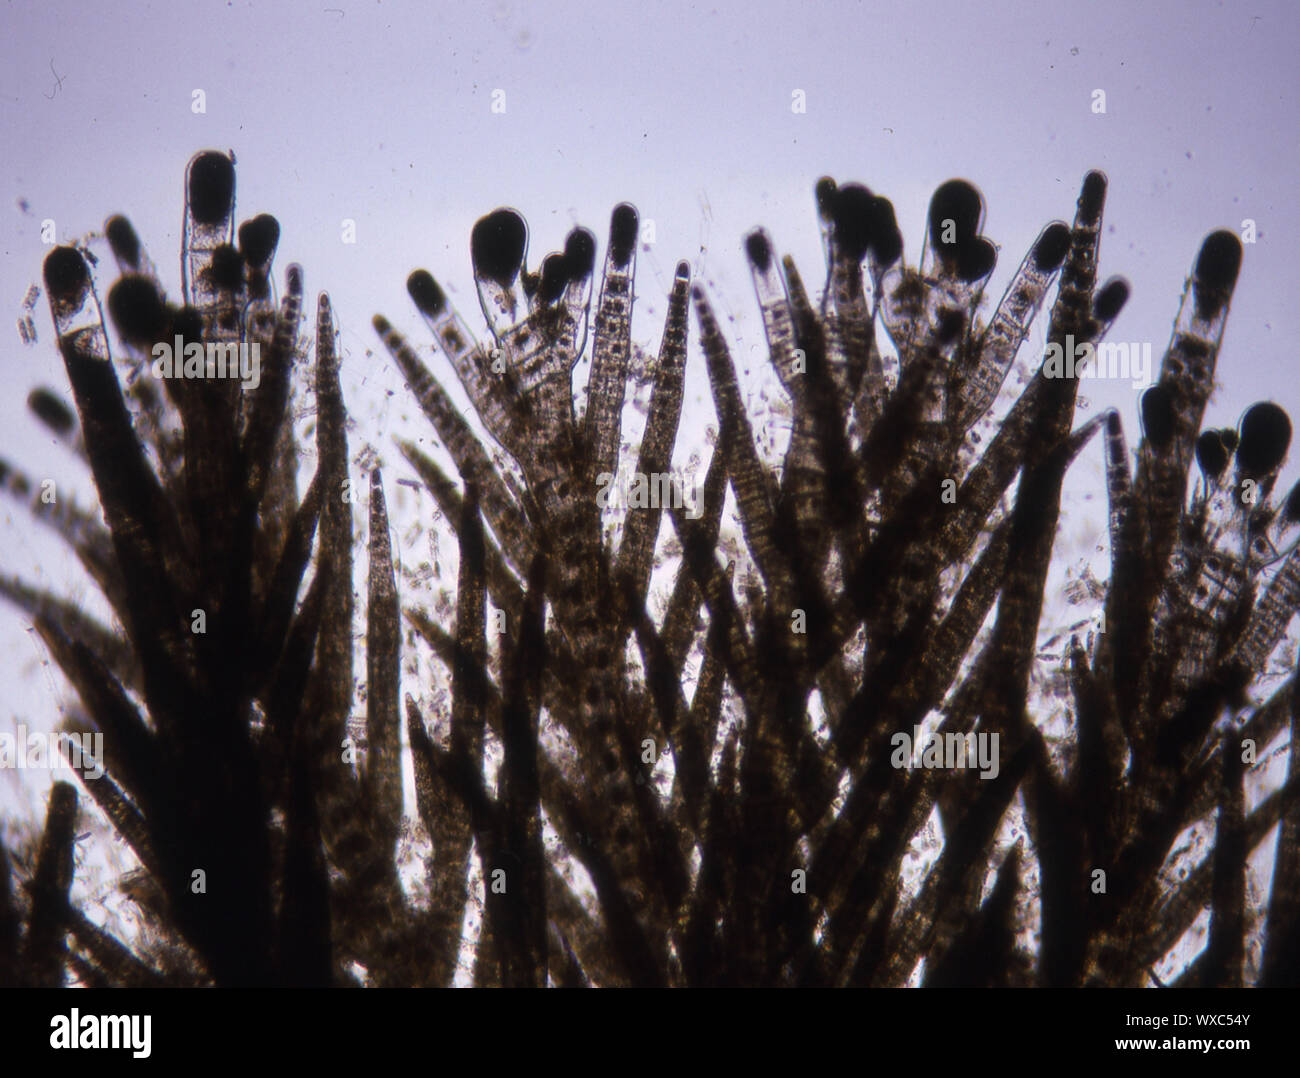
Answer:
(382, 114)
